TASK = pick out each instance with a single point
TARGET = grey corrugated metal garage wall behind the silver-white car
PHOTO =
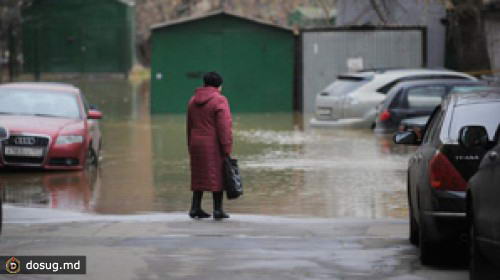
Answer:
(326, 53)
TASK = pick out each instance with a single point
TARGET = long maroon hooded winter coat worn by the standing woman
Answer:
(209, 137)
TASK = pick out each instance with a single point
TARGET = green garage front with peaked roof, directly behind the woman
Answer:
(256, 61)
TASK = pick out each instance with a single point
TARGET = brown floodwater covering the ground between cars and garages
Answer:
(286, 170)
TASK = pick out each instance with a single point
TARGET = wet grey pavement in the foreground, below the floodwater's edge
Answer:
(171, 246)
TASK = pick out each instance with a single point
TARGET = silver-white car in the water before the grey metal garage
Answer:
(351, 100)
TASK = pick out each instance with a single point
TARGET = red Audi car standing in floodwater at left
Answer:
(51, 126)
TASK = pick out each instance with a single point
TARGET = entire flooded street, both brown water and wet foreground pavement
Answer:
(318, 203)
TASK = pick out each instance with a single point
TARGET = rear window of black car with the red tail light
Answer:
(476, 114)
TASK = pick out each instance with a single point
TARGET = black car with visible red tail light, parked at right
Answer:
(439, 170)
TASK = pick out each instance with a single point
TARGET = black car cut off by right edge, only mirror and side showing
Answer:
(483, 209)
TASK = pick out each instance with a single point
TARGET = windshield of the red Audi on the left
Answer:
(38, 103)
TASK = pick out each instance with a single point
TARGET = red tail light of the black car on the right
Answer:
(444, 176)
